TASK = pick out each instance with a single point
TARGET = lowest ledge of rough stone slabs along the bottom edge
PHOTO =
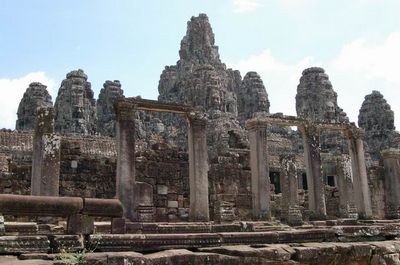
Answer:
(327, 253)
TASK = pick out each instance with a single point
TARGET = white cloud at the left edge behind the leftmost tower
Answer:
(12, 91)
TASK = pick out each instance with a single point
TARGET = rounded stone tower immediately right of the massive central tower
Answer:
(252, 97)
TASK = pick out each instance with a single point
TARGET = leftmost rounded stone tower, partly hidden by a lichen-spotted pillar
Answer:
(35, 96)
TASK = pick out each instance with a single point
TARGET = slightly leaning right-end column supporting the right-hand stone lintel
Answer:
(362, 197)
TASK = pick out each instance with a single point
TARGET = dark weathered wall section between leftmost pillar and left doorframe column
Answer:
(87, 169)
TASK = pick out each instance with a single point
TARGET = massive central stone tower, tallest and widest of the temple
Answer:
(201, 80)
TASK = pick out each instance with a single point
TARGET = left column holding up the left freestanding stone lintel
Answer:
(125, 137)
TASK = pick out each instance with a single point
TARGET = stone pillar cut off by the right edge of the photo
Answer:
(391, 163)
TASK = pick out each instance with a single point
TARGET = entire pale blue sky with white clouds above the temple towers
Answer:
(357, 42)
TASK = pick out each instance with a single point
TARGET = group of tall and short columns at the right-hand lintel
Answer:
(359, 196)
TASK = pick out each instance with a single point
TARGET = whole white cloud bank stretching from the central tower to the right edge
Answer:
(359, 68)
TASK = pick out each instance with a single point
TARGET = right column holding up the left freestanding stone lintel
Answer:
(198, 167)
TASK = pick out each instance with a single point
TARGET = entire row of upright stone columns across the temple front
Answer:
(136, 196)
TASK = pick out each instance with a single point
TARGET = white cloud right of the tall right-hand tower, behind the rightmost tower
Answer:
(363, 66)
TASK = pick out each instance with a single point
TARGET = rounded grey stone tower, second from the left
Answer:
(75, 107)
